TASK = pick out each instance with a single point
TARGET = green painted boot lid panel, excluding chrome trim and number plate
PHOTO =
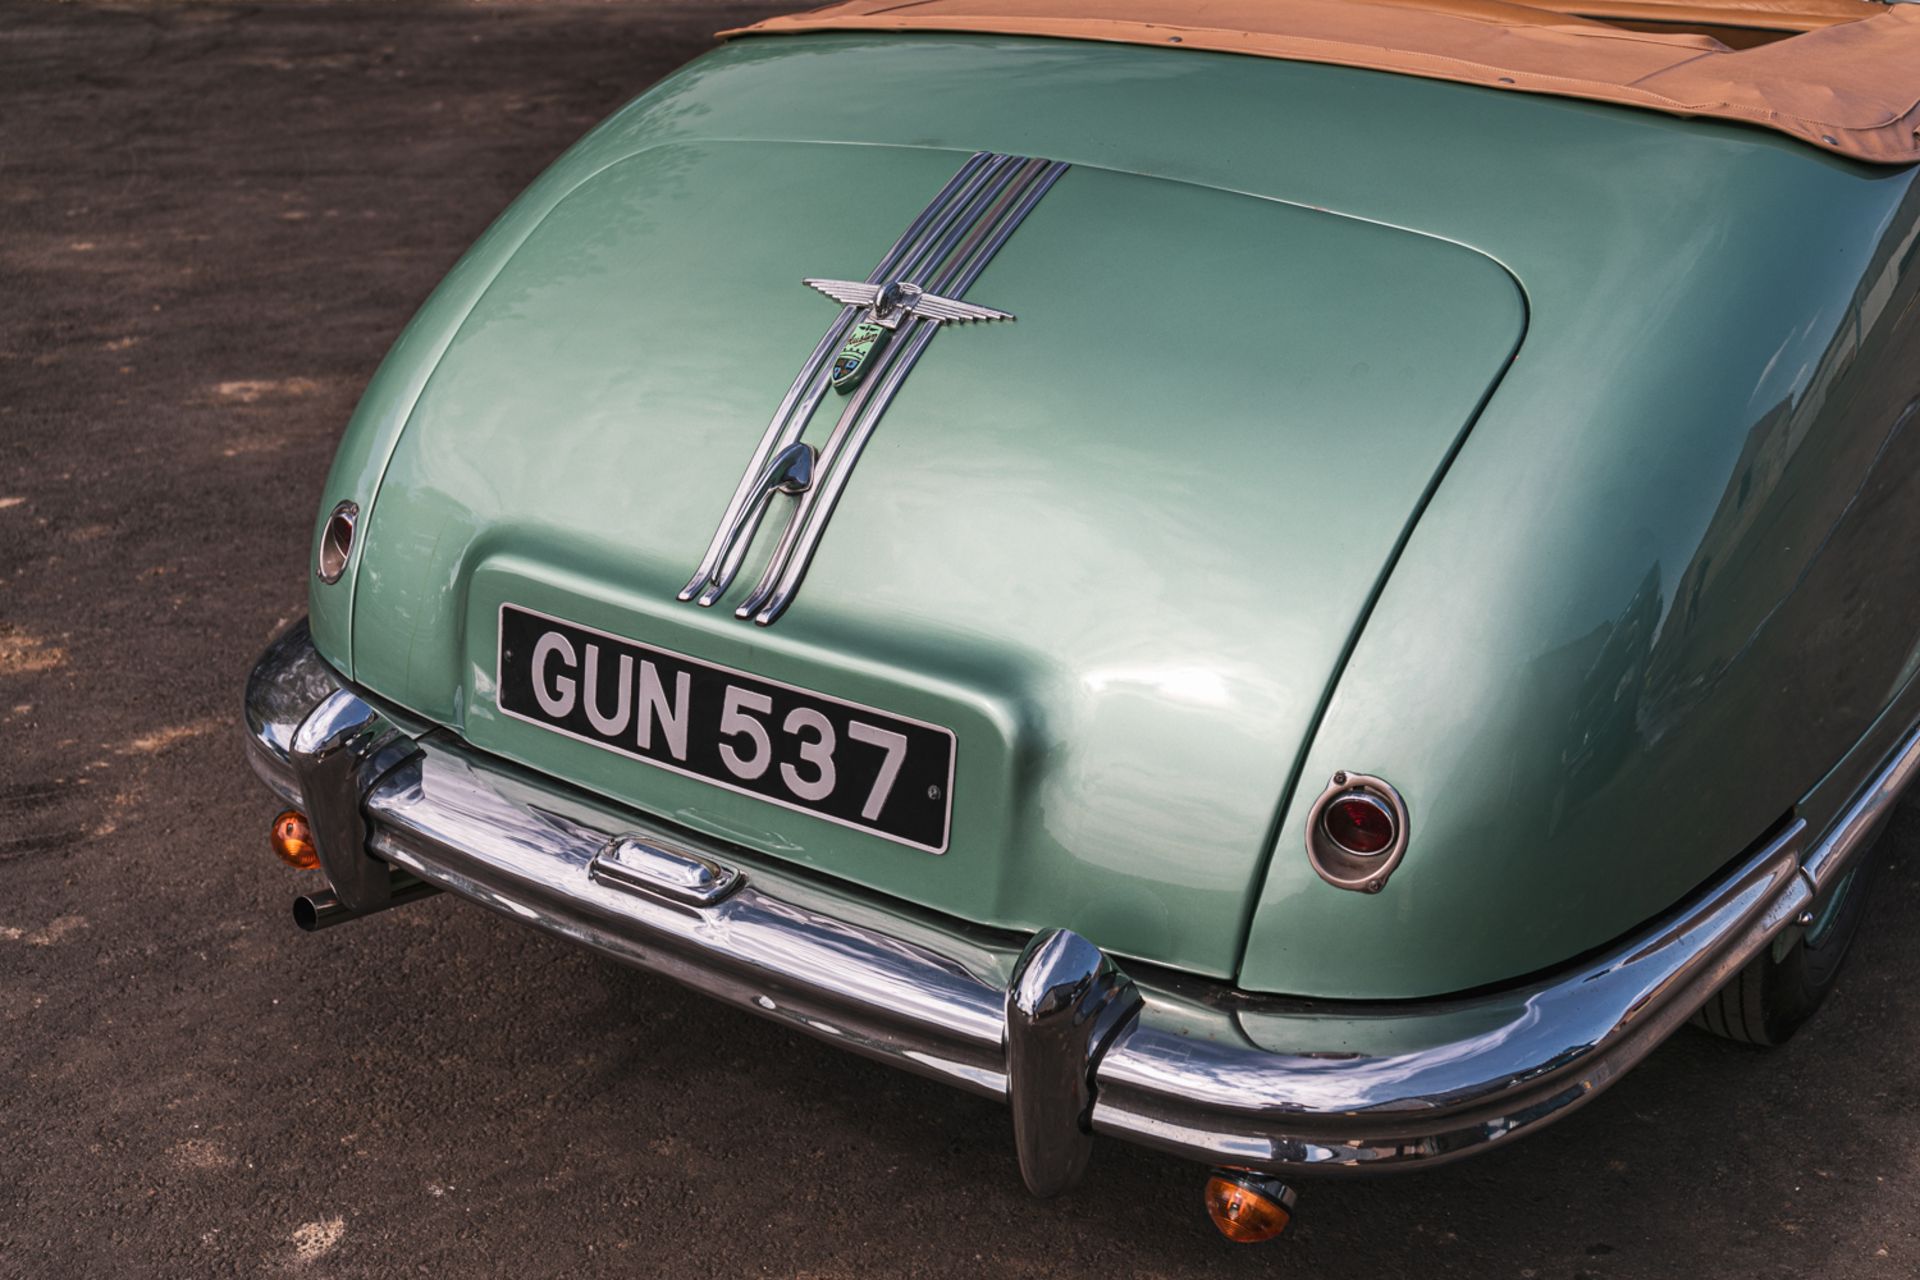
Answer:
(1036, 552)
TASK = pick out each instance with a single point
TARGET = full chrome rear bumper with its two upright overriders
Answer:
(1055, 1028)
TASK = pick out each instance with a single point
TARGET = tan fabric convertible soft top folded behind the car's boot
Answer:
(1848, 82)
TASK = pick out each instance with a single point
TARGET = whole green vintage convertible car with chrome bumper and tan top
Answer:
(1295, 586)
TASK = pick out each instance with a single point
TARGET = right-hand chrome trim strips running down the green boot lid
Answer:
(838, 458)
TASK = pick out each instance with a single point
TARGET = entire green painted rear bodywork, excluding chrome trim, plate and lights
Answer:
(1600, 665)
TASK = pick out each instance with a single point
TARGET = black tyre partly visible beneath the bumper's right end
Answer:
(1783, 987)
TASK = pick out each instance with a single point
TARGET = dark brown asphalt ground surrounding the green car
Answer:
(214, 220)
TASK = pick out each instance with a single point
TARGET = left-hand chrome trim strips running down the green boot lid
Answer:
(798, 406)
